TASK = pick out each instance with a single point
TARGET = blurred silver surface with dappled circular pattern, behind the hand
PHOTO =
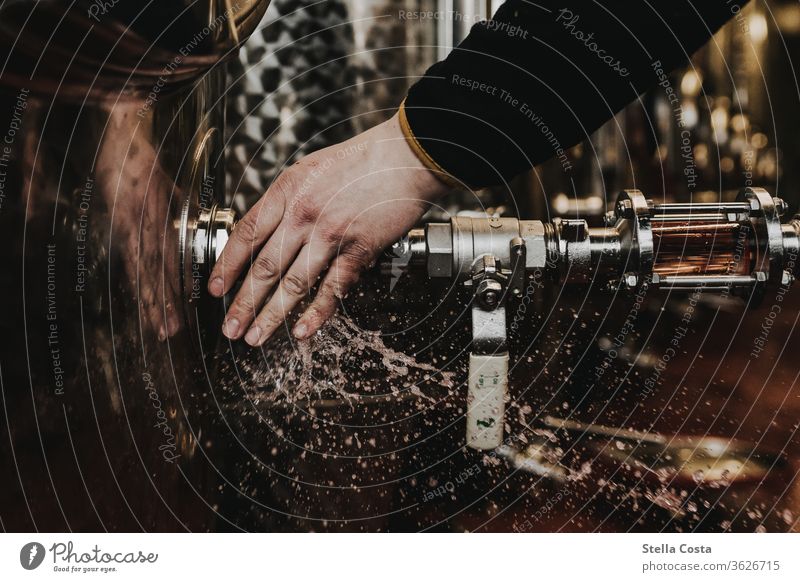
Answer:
(287, 92)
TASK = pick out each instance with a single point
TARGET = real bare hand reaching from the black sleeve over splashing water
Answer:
(336, 209)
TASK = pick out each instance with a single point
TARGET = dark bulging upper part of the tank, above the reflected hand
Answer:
(70, 52)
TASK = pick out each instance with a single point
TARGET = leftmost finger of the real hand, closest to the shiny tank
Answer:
(250, 233)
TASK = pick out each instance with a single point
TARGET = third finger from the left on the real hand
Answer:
(294, 286)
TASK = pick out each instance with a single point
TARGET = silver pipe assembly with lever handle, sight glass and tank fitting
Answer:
(738, 247)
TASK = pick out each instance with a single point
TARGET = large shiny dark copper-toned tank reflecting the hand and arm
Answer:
(111, 117)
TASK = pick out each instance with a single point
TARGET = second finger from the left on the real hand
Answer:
(265, 273)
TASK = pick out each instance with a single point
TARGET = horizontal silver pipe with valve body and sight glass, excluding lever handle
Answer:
(740, 246)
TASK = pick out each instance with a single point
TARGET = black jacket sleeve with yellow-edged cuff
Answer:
(543, 75)
